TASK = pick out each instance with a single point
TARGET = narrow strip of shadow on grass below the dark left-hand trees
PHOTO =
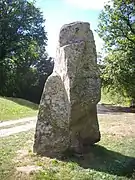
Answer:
(23, 102)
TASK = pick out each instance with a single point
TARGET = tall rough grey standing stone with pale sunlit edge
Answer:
(67, 115)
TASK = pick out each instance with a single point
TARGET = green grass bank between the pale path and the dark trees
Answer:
(15, 108)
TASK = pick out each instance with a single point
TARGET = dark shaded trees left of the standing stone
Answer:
(24, 63)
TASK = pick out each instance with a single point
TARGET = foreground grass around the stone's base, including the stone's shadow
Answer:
(113, 158)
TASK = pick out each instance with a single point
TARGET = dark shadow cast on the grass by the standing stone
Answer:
(104, 160)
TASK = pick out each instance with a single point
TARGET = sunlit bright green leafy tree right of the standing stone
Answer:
(117, 28)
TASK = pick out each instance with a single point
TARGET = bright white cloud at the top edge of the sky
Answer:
(87, 4)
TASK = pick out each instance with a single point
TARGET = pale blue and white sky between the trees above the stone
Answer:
(60, 12)
